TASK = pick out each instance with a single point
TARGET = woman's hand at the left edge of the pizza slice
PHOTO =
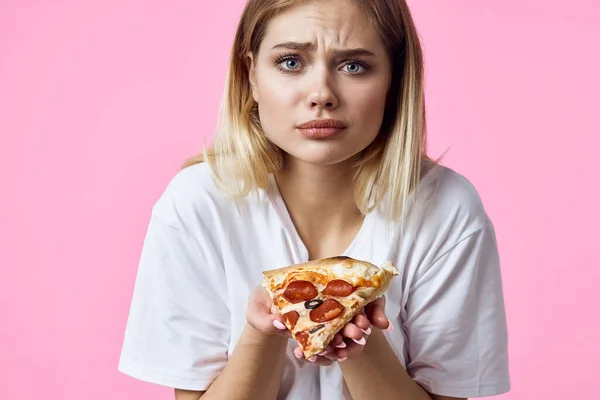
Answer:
(263, 316)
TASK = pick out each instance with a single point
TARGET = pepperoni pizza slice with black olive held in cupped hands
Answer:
(318, 298)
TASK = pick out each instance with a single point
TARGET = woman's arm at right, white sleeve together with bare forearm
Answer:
(457, 346)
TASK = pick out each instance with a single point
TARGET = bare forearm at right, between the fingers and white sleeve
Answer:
(377, 366)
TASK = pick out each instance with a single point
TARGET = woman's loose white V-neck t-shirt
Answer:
(202, 257)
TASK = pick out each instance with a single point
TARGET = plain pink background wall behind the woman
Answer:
(100, 101)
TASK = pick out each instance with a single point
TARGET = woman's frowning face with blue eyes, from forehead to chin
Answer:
(321, 60)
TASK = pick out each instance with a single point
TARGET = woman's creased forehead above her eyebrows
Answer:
(325, 24)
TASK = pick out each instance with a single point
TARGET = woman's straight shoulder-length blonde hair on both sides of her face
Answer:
(242, 158)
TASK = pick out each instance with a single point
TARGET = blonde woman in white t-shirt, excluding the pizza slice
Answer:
(320, 152)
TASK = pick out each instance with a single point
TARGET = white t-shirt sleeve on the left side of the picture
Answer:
(177, 333)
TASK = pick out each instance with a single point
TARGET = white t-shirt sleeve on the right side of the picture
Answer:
(455, 321)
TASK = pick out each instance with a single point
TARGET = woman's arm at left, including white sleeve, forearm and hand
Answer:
(178, 331)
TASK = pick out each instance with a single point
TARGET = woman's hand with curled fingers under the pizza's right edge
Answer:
(351, 340)
